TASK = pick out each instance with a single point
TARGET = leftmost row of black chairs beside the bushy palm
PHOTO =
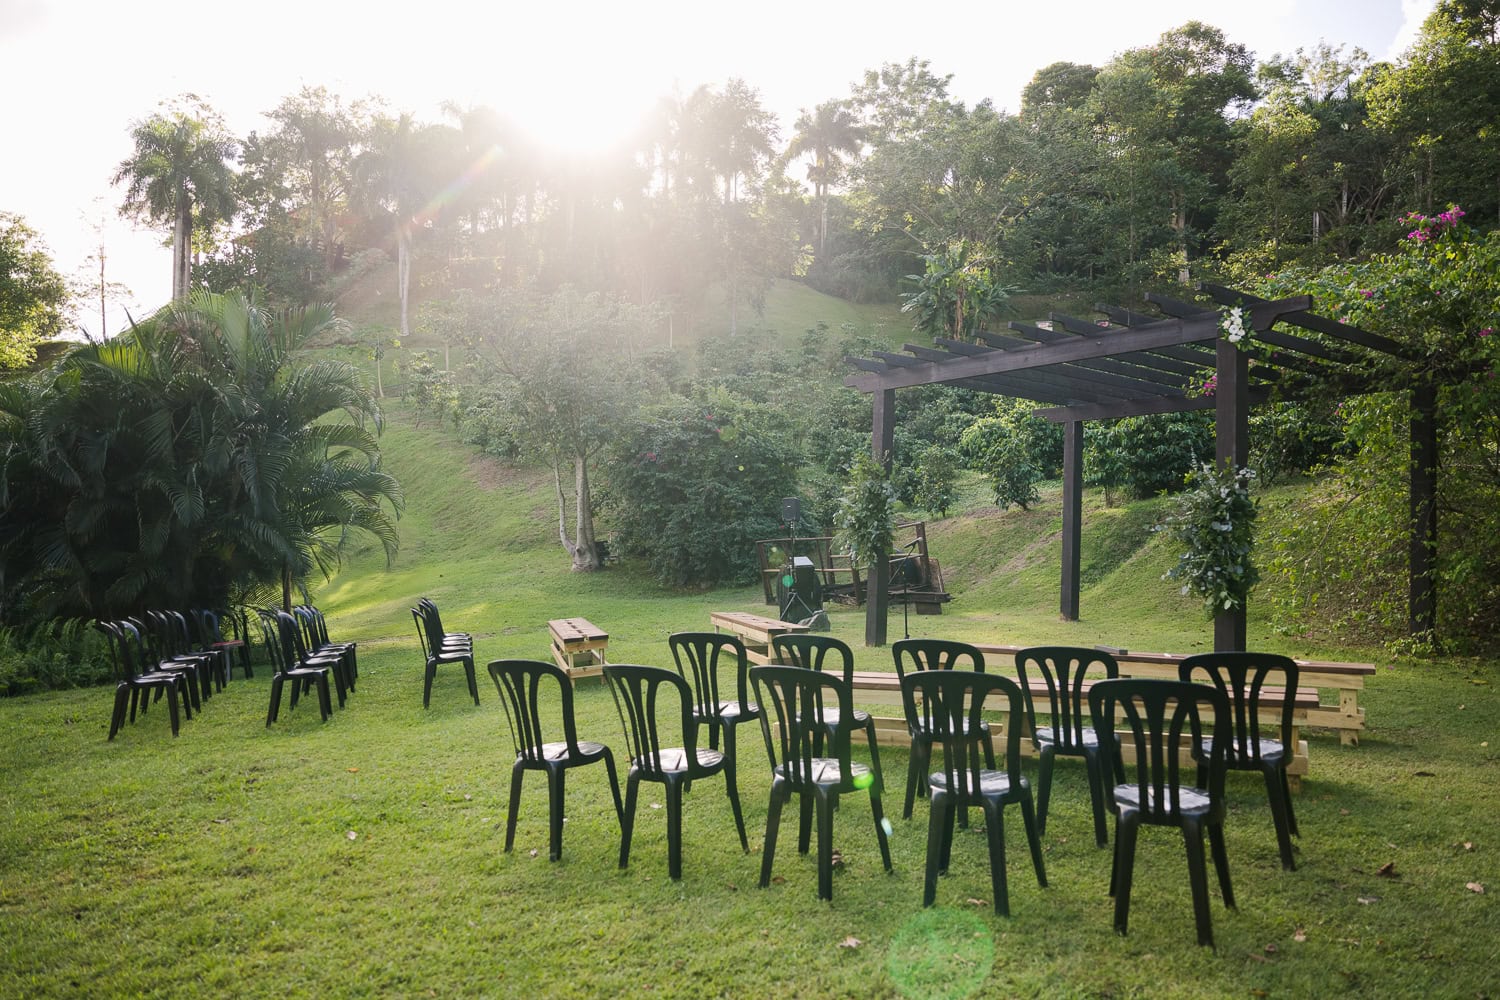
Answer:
(179, 656)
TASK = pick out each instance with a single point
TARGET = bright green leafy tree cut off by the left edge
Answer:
(32, 293)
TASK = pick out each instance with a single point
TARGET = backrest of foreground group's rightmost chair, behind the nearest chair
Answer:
(1241, 678)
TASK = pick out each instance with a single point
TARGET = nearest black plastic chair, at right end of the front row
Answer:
(1163, 720)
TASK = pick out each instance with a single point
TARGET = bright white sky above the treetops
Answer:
(575, 74)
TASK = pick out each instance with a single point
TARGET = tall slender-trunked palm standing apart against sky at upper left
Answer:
(181, 175)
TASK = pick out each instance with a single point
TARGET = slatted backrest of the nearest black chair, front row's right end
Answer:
(1162, 720)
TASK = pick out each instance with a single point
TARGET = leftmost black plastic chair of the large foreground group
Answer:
(520, 684)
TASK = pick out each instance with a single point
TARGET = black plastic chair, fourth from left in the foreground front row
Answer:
(947, 705)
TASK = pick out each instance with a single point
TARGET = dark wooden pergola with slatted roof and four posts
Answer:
(1130, 365)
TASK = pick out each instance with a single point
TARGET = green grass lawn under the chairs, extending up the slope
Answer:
(364, 857)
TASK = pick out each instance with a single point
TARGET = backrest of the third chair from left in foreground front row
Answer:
(793, 717)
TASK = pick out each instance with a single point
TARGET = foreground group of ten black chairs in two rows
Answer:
(809, 719)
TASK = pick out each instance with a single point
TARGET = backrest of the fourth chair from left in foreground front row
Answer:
(949, 707)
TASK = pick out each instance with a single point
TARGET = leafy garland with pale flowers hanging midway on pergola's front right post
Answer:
(1216, 521)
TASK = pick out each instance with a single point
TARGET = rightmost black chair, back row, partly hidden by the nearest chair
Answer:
(1241, 678)
